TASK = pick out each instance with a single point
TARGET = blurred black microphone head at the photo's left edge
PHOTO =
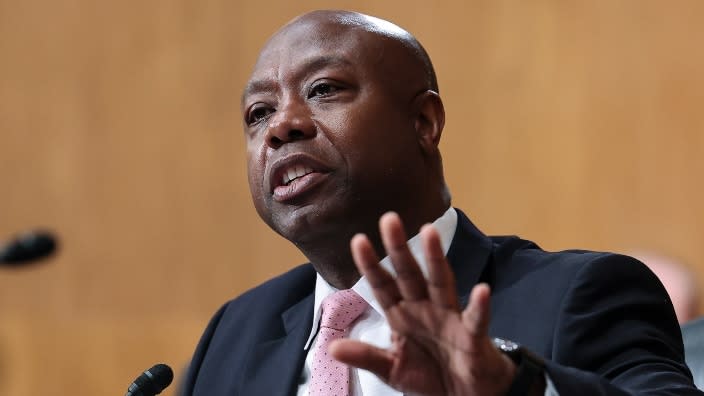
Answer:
(27, 247)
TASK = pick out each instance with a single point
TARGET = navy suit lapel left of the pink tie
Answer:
(275, 364)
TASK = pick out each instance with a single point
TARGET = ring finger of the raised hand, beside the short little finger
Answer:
(441, 281)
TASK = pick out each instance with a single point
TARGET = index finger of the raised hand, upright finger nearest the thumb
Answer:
(382, 283)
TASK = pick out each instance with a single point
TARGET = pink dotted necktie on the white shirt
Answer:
(328, 376)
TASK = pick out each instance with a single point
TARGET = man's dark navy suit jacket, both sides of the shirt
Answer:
(603, 322)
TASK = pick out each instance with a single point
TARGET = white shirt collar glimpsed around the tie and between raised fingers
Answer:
(446, 225)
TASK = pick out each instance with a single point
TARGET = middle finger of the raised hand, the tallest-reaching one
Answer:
(409, 278)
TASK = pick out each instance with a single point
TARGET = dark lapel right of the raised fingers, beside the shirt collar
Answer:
(468, 255)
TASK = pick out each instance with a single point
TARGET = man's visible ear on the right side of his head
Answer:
(430, 120)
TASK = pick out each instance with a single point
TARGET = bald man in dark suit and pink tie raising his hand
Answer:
(342, 122)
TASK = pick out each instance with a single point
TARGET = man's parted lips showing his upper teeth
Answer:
(294, 175)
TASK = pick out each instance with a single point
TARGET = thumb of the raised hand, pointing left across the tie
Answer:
(364, 356)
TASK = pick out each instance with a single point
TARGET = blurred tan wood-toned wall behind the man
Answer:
(572, 123)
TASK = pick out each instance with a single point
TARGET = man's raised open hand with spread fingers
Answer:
(436, 349)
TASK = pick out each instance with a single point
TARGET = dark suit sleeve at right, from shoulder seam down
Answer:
(617, 334)
